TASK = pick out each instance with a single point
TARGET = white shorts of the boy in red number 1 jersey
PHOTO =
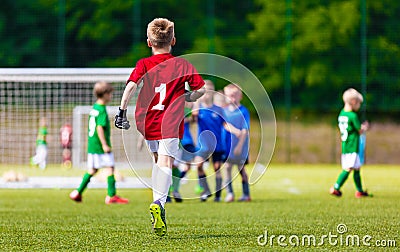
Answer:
(167, 147)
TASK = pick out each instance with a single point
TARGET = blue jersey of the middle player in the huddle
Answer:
(210, 127)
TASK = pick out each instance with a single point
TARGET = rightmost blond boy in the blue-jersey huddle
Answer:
(237, 117)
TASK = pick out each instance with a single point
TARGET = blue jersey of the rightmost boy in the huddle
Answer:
(239, 118)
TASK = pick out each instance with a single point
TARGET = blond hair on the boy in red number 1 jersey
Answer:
(160, 32)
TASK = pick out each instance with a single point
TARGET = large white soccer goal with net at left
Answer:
(62, 96)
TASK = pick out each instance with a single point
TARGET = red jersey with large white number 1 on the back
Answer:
(160, 104)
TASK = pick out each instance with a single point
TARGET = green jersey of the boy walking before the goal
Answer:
(98, 117)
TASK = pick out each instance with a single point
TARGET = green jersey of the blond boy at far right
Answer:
(349, 126)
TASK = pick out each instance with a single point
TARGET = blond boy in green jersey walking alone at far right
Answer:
(350, 131)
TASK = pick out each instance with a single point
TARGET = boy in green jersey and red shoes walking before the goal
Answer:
(99, 146)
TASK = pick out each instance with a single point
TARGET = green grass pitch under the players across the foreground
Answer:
(289, 200)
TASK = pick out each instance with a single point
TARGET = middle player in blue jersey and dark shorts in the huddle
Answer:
(210, 119)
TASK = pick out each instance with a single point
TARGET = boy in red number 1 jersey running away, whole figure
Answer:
(160, 108)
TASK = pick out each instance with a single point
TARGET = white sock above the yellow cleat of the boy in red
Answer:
(162, 184)
